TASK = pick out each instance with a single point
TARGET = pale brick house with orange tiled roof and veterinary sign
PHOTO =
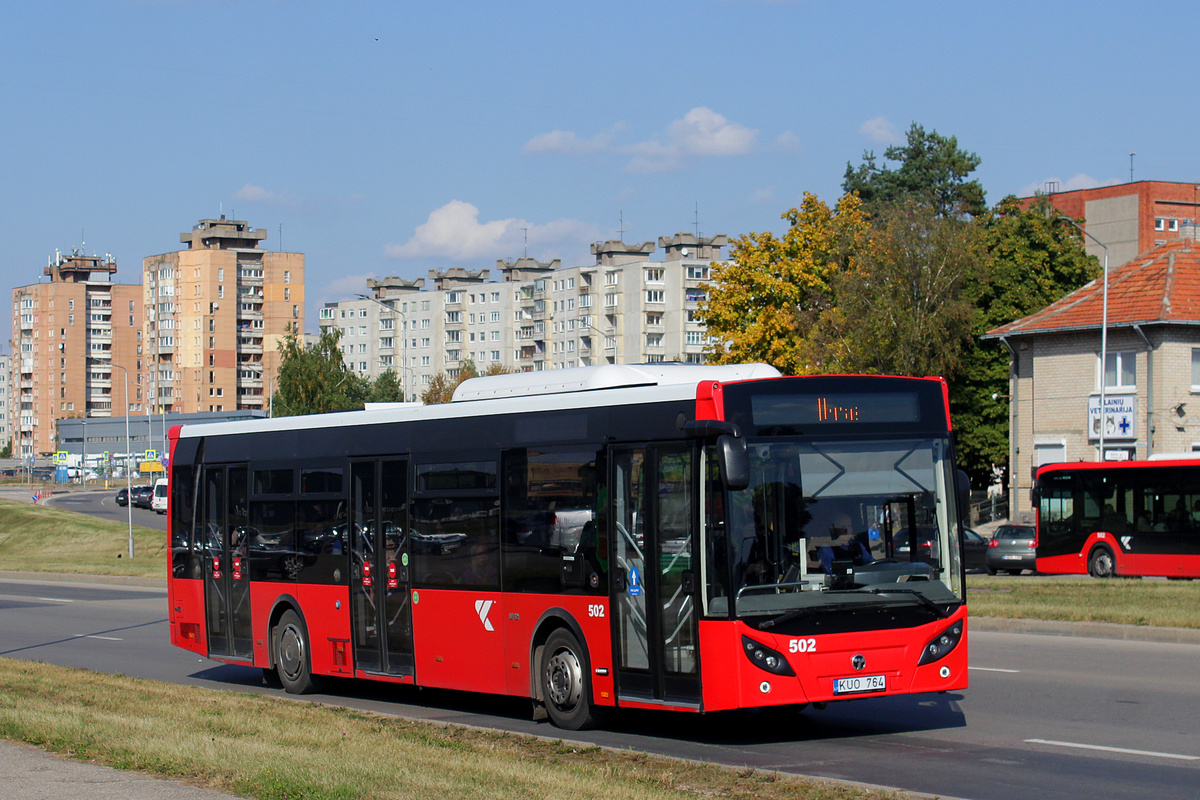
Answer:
(1153, 372)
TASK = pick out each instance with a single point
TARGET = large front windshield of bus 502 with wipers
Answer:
(851, 522)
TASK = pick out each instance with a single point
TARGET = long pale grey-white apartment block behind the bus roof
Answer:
(626, 309)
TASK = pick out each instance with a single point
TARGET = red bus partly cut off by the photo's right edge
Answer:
(1130, 519)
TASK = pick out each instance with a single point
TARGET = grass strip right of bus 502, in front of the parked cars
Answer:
(1172, 604)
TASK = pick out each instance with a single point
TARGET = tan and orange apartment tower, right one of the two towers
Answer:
(215, 315)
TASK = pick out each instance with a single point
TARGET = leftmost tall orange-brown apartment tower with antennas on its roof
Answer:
(68, 336)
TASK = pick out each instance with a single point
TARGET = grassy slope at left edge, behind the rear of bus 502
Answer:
(40, 539)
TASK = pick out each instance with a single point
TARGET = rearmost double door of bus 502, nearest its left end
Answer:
(224, 534)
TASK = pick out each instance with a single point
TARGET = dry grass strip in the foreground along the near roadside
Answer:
(277, 749)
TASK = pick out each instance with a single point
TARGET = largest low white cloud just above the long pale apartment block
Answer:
(455, 232)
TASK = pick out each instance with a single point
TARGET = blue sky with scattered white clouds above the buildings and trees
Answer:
(392, 139)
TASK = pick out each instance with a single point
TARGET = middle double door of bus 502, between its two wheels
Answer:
(380, 572)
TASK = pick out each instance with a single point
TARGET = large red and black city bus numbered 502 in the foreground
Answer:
(669, 537)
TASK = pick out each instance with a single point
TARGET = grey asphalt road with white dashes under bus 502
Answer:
(1046, 717)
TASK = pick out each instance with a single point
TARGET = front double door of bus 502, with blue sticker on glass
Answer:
(653, 539)
